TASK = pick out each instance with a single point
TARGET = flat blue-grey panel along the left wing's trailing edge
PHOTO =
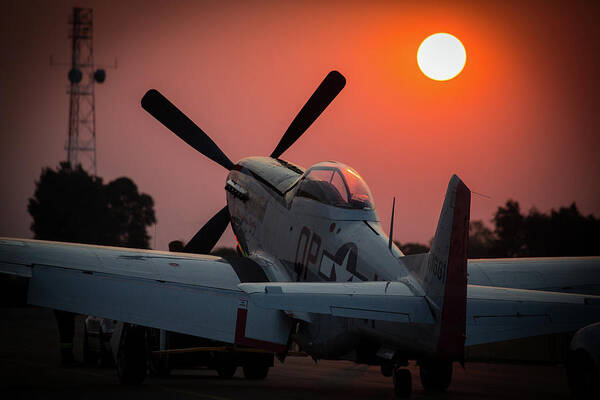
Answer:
(199, 311)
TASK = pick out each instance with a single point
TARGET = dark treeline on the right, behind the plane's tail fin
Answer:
(558, 233)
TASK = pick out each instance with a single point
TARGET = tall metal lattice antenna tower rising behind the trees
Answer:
(81, 144)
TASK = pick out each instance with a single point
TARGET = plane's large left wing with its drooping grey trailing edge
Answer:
(192, 294)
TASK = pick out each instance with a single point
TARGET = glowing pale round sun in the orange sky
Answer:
(441, 56)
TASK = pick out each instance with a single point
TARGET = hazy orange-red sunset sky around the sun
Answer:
(521, 121)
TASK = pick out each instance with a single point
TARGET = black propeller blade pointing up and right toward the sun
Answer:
(333, 84)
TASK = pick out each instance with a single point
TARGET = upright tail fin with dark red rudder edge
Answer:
(442, 272)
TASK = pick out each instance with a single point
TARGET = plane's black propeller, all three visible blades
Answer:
(170, 116)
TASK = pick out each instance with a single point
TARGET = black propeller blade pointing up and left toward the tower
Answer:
(171, 117)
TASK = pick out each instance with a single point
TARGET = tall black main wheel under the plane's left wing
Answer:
(132, 356)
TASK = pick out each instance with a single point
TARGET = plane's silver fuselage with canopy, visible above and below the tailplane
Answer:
(319, 224)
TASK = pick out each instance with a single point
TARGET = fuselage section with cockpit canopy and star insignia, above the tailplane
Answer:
(295, 218)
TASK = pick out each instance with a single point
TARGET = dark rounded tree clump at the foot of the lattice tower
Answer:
(72, 206)
